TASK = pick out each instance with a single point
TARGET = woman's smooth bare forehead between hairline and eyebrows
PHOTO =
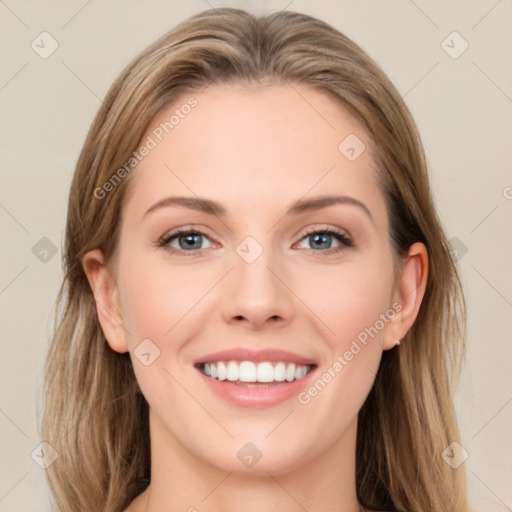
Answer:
(249, 145)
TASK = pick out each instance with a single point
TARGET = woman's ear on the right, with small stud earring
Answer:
(409, 292)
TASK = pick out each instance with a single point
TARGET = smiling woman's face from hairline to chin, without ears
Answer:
(259, 256)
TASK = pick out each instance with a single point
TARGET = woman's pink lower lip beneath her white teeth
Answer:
(257, 397)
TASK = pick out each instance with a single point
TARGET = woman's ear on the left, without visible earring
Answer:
(106, 296)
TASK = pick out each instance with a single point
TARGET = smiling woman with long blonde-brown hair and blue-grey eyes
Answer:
(260, 307)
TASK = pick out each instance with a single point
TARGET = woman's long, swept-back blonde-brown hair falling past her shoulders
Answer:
(95, 415)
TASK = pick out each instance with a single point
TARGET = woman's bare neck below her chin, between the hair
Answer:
(181, 481)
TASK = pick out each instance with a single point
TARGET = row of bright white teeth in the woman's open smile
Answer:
(247, 371)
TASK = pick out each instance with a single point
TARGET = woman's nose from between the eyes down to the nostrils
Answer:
(255, 292)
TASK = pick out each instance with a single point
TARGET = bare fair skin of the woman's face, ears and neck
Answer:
(255, 151)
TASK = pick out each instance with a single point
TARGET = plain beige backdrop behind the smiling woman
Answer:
(463, 107)
